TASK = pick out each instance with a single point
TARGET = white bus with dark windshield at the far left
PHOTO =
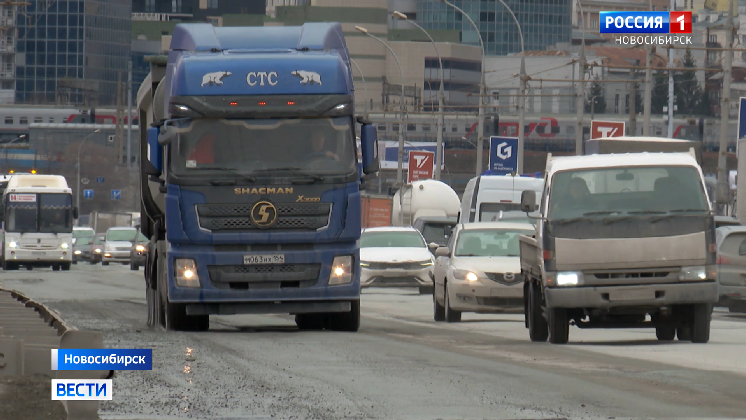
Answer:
(38, 219)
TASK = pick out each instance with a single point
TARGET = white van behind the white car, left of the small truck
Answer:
(490, 198)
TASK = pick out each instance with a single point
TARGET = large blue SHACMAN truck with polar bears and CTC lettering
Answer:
(250, 179)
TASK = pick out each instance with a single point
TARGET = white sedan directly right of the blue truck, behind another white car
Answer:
(395, 257)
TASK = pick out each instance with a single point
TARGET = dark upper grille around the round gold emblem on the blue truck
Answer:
(237, 217)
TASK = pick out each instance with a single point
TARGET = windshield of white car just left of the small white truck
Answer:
(489, 242)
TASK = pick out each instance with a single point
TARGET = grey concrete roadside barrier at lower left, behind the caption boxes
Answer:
(29, 331)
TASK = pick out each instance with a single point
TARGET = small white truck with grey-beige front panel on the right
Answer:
(622, 241)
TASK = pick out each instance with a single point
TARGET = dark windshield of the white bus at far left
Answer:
(45, 213)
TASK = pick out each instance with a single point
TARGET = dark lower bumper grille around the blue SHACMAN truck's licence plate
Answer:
(266, 276)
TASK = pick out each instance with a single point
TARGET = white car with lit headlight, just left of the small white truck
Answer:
(479, 271)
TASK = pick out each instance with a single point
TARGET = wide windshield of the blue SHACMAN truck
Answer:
(323, 146)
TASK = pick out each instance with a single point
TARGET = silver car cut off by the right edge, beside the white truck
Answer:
(731, 267)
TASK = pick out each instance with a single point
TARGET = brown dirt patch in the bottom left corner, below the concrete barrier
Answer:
(29, 398)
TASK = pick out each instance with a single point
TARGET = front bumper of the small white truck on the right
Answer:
(653, 295)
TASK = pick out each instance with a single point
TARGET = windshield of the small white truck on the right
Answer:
(627, 192)
